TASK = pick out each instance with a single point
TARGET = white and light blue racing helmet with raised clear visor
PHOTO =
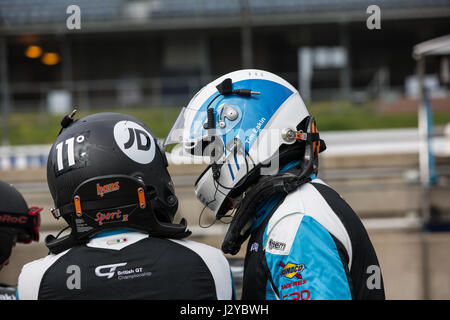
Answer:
(240, 122)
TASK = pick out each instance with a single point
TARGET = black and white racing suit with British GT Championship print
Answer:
(129, 265)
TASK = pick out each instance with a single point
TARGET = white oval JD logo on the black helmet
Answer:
(134, 141)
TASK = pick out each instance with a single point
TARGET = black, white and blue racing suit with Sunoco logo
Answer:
(310, 245)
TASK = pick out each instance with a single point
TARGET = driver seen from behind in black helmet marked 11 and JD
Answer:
(109, 180)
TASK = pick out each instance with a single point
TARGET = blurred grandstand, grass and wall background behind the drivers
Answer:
(375, 74)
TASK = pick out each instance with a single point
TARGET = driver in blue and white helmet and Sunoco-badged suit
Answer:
(304, 241)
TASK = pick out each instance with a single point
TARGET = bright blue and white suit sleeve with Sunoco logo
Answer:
(309, 267)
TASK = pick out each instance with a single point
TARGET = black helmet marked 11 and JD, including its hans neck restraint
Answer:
(107, 171)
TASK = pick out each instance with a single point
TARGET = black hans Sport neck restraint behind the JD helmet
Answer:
(113, 202)
